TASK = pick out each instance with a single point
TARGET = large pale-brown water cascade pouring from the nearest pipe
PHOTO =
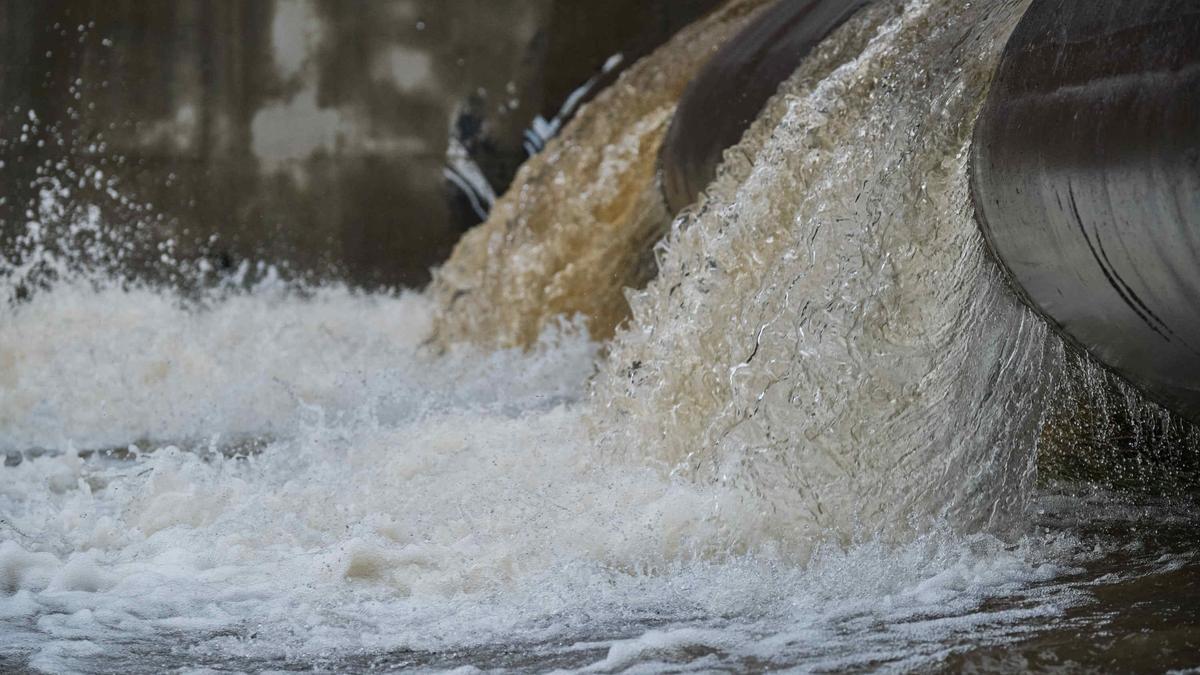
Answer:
(827, 330)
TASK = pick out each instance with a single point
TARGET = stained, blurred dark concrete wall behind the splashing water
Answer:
(309, 132)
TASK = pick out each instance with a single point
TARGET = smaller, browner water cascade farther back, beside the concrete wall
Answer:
(577, 228)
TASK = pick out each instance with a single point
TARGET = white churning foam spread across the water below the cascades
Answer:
(401, 504)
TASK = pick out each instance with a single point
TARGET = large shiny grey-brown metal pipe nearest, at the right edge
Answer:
(1087, 181)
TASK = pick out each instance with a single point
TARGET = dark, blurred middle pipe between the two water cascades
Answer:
(731, 92)
